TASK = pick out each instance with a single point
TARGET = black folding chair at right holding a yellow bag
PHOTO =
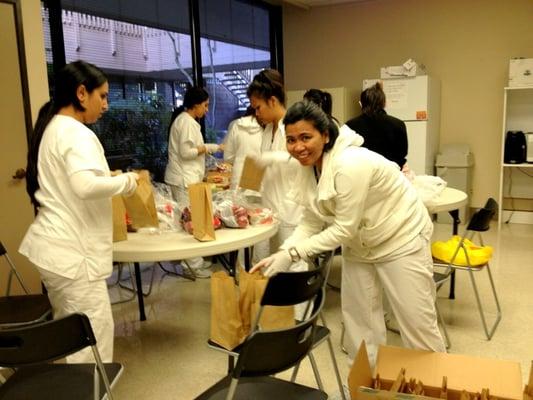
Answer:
(480, 222)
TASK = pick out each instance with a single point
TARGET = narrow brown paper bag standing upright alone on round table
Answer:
(201, 211)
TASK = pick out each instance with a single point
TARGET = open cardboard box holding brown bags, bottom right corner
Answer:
(502, 378)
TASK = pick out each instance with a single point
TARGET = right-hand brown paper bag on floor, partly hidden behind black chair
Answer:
(272, 317)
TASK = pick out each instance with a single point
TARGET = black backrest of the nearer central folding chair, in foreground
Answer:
(268, 352)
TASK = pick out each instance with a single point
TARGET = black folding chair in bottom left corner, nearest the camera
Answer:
(31, 349)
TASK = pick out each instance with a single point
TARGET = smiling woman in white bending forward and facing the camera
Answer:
(357, 199)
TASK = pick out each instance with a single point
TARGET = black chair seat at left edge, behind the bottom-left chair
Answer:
(24, 309)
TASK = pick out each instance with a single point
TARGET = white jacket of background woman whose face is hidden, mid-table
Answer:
(243, 139)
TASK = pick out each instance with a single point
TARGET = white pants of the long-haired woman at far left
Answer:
(69, 296)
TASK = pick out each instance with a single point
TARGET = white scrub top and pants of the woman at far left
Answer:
(70, 240)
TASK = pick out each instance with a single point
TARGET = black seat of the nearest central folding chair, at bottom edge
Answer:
(263, 388)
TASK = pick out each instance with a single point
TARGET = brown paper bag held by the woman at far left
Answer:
(141, 205)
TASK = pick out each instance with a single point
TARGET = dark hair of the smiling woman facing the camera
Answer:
(310, 112)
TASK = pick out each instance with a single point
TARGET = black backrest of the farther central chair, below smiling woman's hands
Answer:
(290, 288)
